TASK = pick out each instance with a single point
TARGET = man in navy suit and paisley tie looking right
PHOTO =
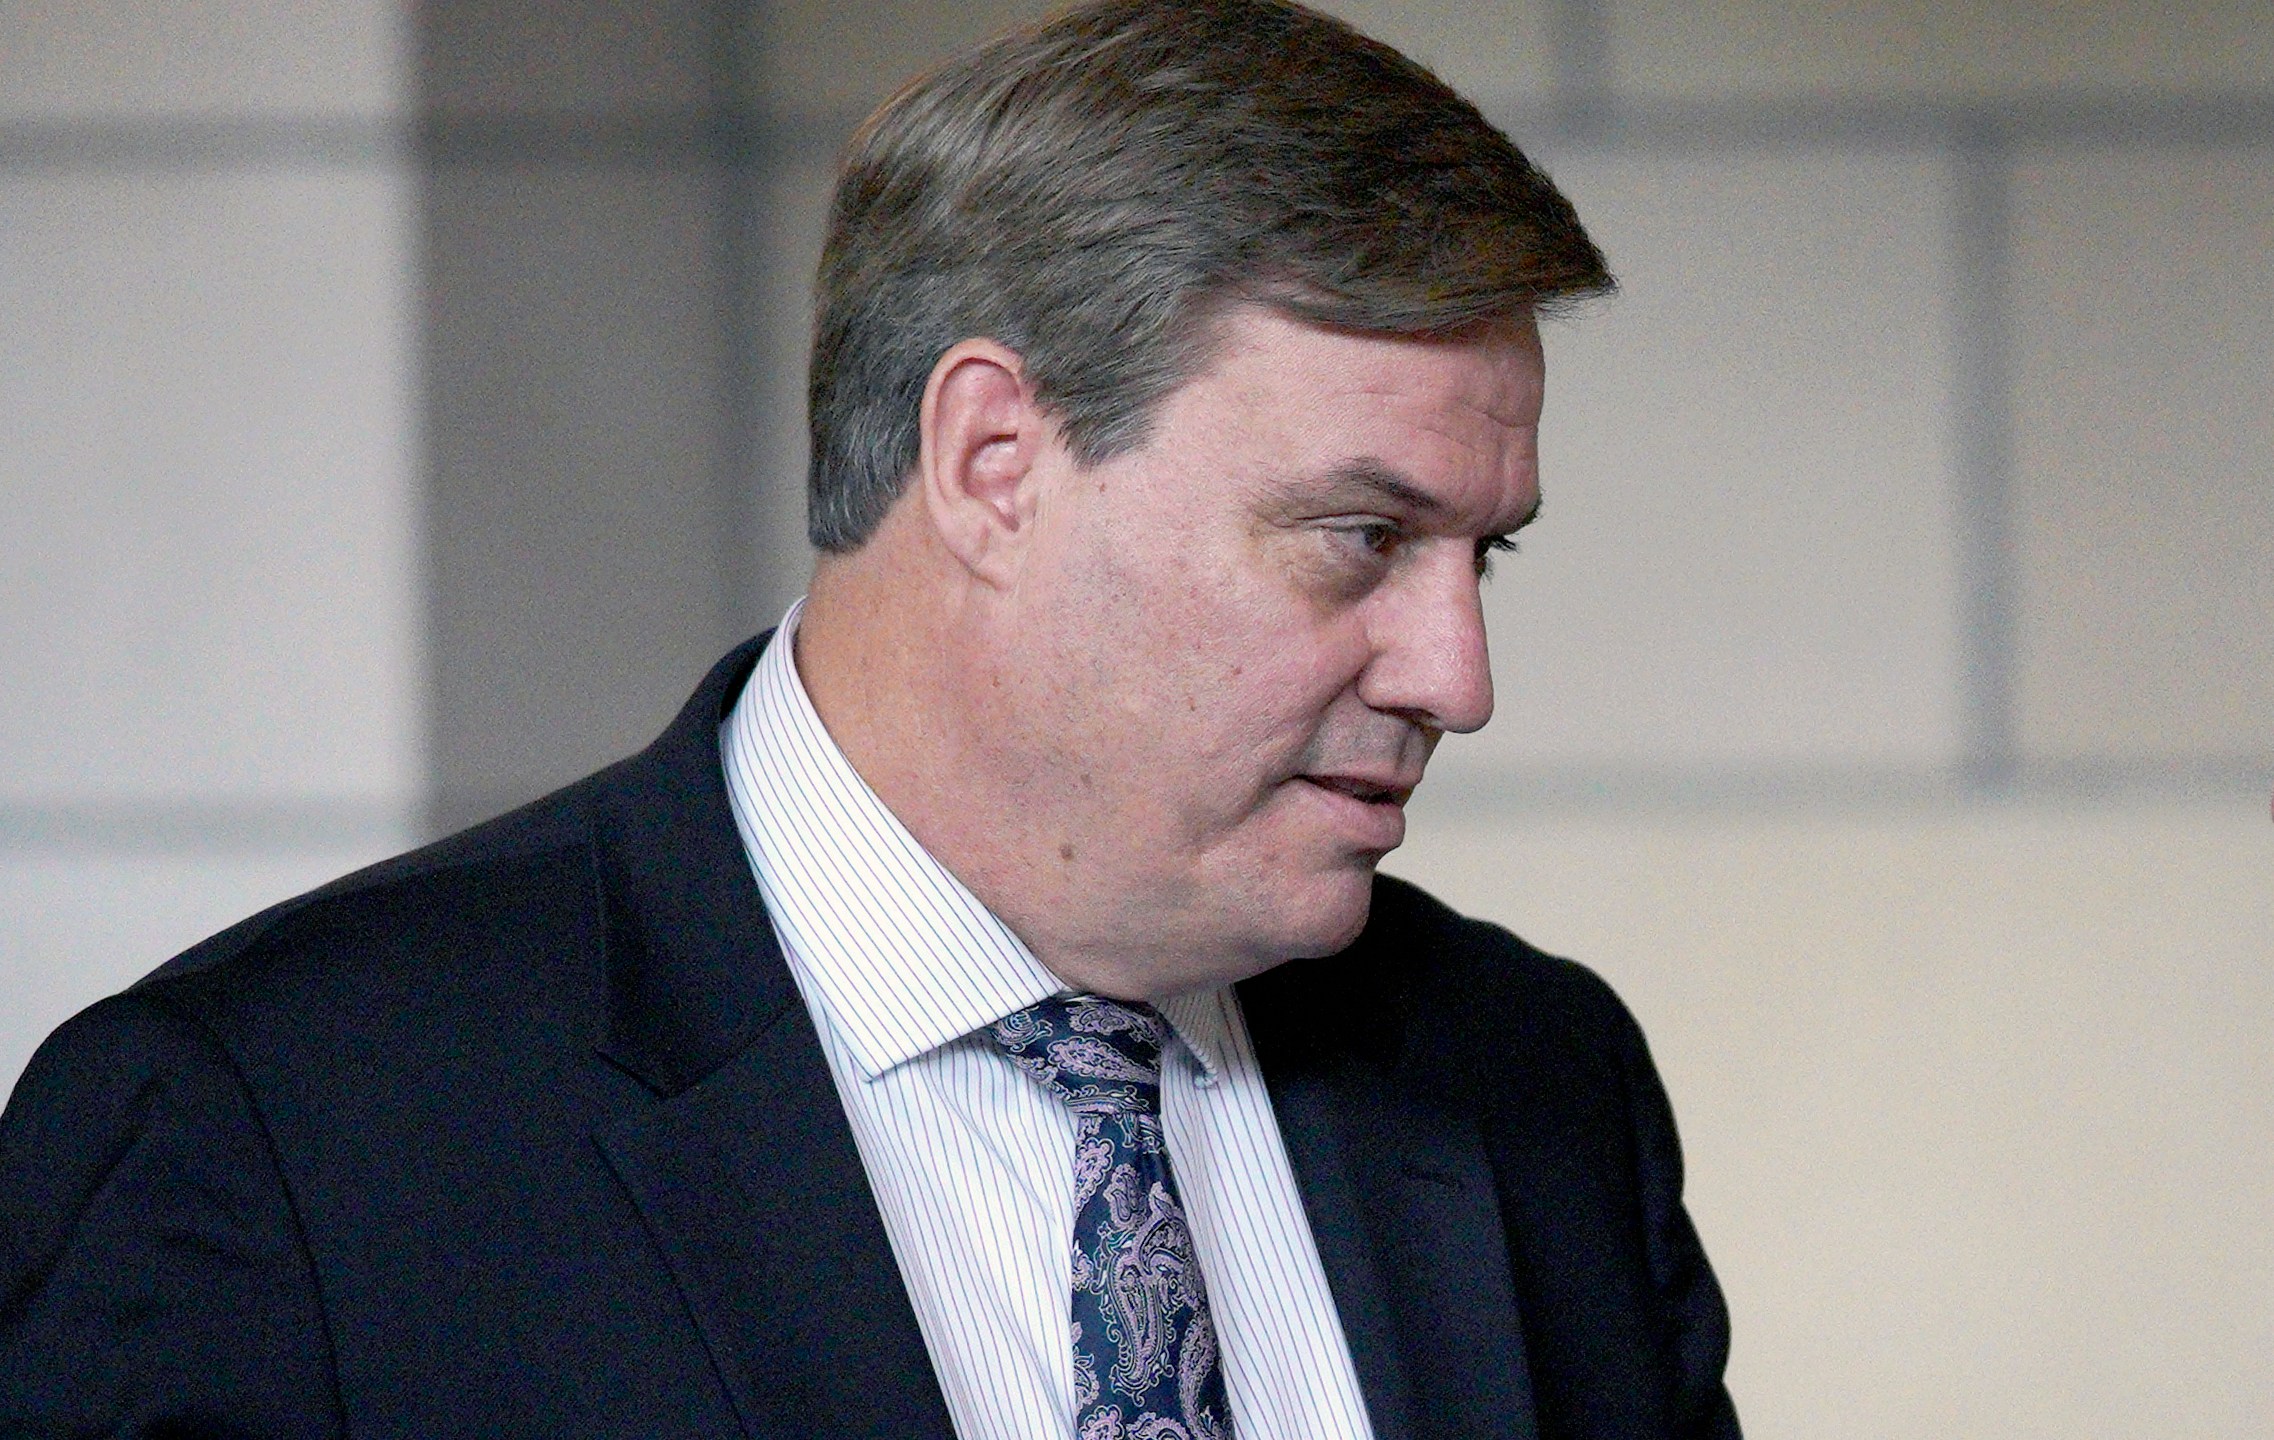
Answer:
(979, 1013)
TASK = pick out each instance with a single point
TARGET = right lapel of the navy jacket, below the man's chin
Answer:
(1402, 1205)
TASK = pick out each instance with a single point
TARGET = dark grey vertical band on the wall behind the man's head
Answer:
(579, 402)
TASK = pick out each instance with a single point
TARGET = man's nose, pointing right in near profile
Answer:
(1429, 652)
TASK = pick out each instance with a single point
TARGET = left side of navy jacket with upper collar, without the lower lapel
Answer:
(340, 1161)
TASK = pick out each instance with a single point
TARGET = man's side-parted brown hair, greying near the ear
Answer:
(1097, 188)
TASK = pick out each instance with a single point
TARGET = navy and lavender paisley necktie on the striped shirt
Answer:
(1145, 1346)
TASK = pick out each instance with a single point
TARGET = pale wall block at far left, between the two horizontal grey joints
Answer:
(210, 552)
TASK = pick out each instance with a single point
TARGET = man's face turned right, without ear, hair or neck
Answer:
(1238, 645)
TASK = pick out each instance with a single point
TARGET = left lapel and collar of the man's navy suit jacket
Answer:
(738, 1155)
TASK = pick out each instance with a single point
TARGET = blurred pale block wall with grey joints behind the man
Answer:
(401, 406)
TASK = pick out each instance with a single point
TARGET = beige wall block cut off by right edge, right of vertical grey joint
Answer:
(2146, 454)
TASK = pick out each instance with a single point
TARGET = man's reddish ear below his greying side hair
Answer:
(981, 433)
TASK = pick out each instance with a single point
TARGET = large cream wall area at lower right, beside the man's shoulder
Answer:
(1980, 1107)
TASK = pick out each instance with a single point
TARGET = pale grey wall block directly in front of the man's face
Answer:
(1745, 552)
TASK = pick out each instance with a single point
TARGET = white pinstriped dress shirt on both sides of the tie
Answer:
(972, 1164)
